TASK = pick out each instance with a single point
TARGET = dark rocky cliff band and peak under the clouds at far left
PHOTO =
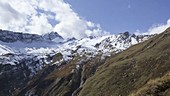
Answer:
(9, 36)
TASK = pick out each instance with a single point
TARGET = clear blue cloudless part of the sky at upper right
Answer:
(123, 15)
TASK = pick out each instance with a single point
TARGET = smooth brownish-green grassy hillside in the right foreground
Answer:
(141, 70)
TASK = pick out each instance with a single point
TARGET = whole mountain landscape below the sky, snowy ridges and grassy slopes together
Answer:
(113, 65)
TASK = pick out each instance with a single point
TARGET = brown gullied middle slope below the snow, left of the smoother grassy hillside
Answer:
(65, 80)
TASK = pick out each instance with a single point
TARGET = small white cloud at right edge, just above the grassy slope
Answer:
(155, 29)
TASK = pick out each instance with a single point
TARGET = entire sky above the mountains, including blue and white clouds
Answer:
(83, 18)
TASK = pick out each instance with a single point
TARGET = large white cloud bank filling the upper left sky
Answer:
(33, 16)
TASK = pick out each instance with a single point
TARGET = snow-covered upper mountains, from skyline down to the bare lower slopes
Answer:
(36, 51)
